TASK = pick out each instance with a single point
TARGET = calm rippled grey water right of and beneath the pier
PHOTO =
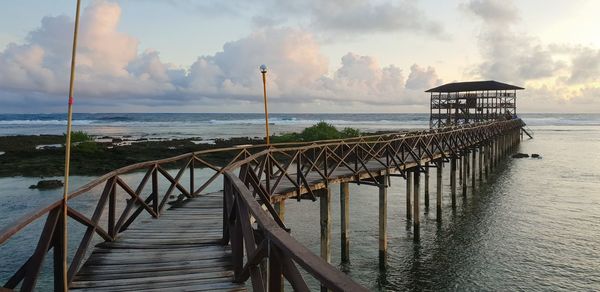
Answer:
(533, 226)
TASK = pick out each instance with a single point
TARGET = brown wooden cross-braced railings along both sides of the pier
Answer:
(261, 170)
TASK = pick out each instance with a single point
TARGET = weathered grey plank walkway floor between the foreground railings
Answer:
(181, 251)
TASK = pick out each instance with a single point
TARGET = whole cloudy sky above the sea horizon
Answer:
(323, 56)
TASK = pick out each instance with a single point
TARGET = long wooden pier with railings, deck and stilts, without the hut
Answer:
(237, 238)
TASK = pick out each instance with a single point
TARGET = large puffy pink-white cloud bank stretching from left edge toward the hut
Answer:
(109, 66)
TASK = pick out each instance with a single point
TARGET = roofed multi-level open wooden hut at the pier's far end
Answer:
(475, 101)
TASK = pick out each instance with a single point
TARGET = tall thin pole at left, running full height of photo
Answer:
(68, 149)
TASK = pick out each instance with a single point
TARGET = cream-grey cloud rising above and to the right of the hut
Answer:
(558, 75)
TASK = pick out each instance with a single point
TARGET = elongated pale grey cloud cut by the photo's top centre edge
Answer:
(347, 16)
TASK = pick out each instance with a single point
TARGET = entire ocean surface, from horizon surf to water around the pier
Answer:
(534, 225)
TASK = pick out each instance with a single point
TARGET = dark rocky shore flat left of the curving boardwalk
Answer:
(43, 155)
